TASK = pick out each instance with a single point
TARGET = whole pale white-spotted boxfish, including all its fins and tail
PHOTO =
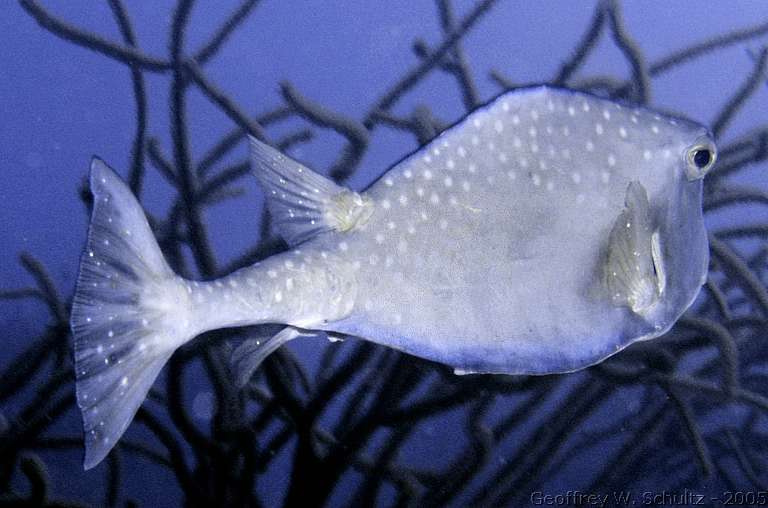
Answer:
(541, 234)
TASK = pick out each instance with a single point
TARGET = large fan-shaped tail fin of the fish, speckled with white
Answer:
(129, 313)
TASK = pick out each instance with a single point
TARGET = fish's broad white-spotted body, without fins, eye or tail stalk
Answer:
(486, 248)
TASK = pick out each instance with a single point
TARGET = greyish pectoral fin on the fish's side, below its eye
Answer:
(633, 270)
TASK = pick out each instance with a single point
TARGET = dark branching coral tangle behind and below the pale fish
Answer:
(711, 362)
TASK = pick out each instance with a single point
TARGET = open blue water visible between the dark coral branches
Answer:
(62, 104)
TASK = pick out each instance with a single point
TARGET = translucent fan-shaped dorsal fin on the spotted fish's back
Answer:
(303, 203)
